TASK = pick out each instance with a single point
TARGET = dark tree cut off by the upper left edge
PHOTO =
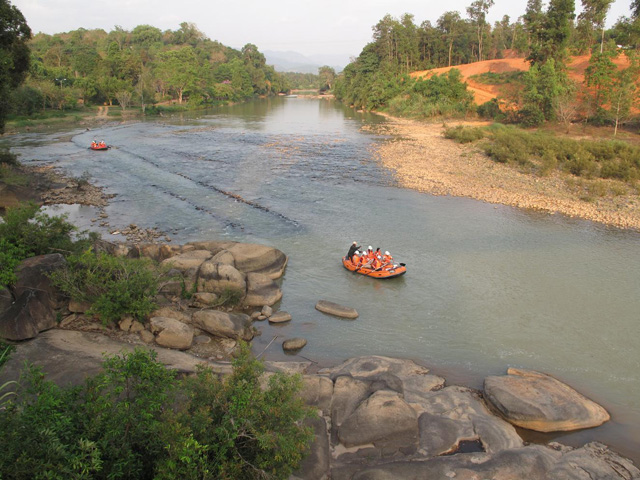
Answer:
(14, 54)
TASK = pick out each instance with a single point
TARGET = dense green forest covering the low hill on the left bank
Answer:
(144, 66)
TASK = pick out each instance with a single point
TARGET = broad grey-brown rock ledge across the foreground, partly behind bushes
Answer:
(379, 418)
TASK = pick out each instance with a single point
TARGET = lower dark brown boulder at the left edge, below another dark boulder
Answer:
(29, 315)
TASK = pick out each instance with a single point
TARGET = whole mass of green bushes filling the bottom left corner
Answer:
(137, 420)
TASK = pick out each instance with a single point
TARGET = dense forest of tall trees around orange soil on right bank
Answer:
(379, 77)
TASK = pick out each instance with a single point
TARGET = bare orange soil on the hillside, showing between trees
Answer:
(483, 93)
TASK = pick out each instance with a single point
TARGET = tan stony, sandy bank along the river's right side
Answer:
(424, 160)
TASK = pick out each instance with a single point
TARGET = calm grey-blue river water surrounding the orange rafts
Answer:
(487, 287)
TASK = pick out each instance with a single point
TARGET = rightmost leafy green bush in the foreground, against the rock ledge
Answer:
(251, 432)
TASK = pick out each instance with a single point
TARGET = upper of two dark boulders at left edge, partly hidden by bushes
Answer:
(33, 274)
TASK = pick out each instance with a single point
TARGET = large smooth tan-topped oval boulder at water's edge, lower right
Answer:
(539, 402)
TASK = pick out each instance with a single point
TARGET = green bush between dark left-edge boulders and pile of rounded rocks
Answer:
(114, 286)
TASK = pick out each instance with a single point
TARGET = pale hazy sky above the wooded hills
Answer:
(329, 26)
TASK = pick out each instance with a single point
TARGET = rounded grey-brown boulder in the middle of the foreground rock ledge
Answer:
(383, 419)
